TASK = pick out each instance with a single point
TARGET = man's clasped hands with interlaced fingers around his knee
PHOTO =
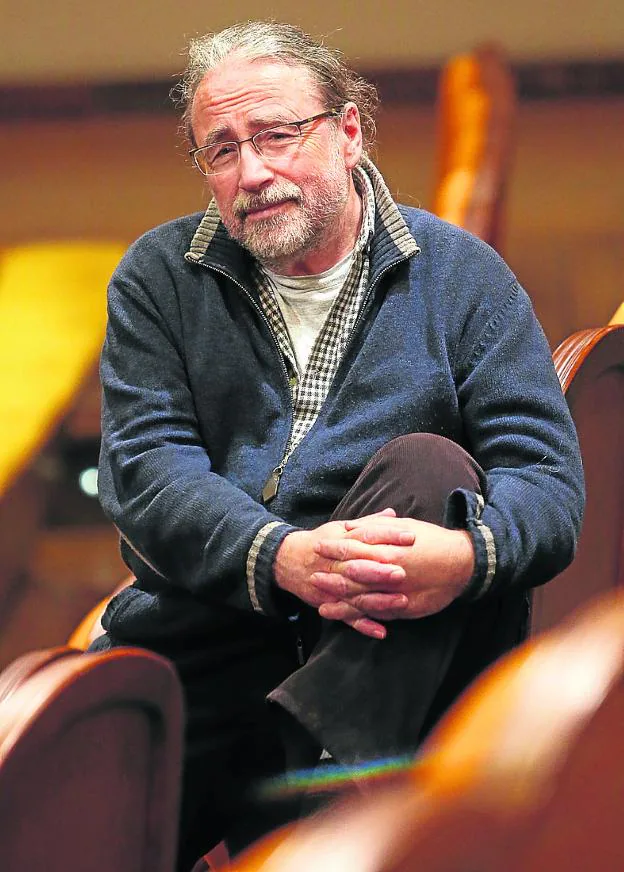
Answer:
(374, 569)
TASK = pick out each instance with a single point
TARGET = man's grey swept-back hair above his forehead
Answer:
(256, 40)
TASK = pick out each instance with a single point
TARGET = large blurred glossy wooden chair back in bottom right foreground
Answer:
(524, 774)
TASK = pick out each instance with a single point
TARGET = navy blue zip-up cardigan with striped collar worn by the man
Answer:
(197, 413)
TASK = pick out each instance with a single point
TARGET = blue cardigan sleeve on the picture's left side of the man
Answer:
(180, 523)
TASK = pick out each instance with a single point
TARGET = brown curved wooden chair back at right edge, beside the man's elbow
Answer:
(590, 365)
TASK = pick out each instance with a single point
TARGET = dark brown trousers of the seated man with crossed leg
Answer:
(358, 697)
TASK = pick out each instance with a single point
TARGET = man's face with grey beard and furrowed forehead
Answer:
(279, 209)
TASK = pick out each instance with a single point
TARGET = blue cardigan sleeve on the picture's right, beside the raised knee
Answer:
(520, 431)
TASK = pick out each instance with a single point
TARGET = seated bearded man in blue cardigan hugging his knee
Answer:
(333, 440)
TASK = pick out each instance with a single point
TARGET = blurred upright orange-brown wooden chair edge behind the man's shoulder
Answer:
(476, 111)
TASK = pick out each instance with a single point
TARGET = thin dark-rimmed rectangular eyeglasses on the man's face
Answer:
(274, 142)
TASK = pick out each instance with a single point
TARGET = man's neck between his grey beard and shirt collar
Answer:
(336, 243)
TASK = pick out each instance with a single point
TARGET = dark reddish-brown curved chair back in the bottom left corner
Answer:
(90, 748)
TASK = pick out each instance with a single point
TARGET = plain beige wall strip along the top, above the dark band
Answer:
(115, 40)
